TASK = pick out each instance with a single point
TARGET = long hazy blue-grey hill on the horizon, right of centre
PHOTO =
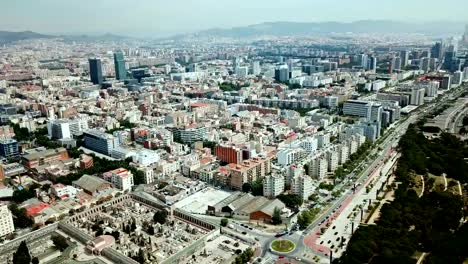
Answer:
(364, 26)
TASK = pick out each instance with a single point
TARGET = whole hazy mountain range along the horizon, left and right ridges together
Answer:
(274, 29)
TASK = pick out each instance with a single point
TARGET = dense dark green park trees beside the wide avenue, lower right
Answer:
(409, 224)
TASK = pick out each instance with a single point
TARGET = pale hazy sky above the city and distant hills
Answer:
(162, 17)
